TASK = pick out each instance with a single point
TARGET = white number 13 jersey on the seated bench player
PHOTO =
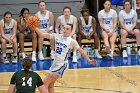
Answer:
(44, 21)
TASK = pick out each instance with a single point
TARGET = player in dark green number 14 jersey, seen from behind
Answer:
(25, 81)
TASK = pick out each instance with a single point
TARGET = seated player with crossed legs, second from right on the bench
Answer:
(108, 22)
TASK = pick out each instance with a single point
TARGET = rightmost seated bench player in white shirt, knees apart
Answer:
(128, 22)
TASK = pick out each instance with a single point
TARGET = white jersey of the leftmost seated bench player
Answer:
(8, 28)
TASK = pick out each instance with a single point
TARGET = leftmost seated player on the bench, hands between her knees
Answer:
(8, 28)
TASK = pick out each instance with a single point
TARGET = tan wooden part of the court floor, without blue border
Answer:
(91, 80)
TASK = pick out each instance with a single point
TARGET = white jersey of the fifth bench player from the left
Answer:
(87, 28)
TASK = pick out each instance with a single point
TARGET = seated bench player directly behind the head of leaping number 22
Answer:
(64, 19)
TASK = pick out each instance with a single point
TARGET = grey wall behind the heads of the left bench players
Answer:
(56, 6)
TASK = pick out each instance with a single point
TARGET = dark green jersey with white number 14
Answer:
(24, 85)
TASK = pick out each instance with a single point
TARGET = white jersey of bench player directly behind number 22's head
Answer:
(63, 22)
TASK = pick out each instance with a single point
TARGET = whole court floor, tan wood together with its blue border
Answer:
(116, 76)
